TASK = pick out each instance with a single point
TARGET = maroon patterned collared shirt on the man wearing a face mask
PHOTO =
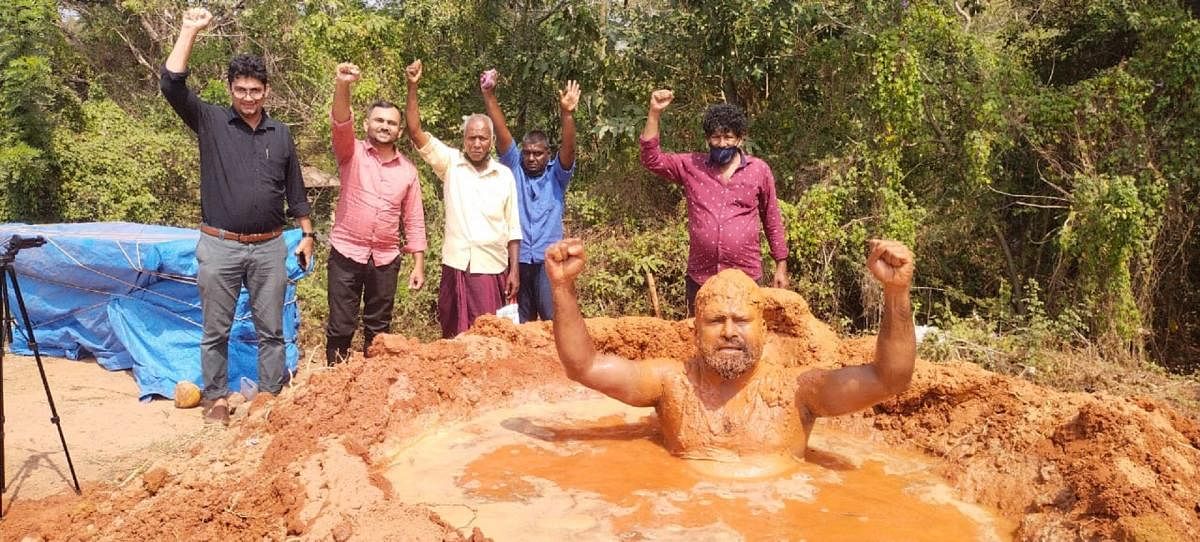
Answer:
(723, 218)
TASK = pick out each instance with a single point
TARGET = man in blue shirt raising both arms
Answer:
(542, 189)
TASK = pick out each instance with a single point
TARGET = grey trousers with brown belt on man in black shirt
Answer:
(224, 267)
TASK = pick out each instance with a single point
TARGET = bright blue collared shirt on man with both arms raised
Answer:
(543, 200)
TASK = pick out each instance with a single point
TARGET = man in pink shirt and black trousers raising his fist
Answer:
(380, 195)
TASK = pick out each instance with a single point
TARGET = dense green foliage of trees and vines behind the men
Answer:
(1040, 156)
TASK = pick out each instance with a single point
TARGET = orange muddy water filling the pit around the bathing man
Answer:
(597, 471)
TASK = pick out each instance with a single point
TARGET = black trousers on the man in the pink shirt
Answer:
(352, 285)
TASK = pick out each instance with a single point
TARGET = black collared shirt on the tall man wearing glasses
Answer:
(247, 173)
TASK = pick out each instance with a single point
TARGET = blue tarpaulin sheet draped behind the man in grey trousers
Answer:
(127, 296)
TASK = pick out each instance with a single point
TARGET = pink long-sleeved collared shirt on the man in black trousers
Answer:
(375, 197)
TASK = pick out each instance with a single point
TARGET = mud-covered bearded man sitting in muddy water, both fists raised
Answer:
(736, 402)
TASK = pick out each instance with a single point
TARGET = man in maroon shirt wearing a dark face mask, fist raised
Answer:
(729, 194)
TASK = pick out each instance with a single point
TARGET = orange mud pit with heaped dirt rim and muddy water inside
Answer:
(327, 461)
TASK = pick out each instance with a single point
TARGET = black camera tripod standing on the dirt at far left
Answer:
(9, 276)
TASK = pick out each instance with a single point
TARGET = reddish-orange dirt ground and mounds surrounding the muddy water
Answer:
(309, 466)
